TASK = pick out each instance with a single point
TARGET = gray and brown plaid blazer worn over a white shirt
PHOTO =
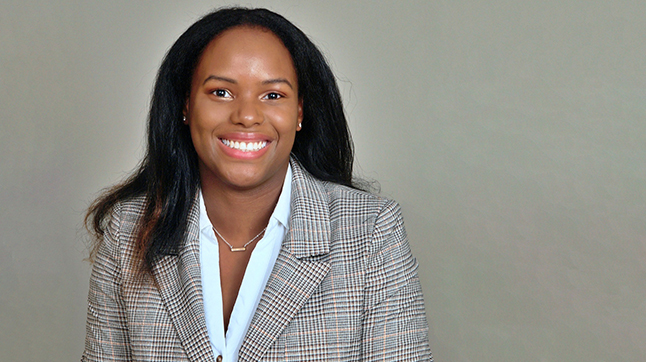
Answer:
(344, 288)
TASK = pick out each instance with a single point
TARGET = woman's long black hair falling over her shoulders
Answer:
(168, 176)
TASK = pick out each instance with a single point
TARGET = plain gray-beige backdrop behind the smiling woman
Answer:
(512, 133)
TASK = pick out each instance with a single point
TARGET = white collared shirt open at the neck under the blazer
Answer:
(263, 258)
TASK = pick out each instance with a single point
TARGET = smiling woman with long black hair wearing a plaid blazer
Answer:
(242, 235)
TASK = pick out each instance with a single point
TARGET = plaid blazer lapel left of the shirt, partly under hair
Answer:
(179, 281)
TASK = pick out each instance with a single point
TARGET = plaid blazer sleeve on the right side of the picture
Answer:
(394, 323)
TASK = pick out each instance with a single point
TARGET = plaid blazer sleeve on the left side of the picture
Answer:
(106, 329)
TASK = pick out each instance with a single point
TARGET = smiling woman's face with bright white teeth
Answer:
(244, 110)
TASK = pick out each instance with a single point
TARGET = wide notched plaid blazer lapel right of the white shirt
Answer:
(295, 276)
